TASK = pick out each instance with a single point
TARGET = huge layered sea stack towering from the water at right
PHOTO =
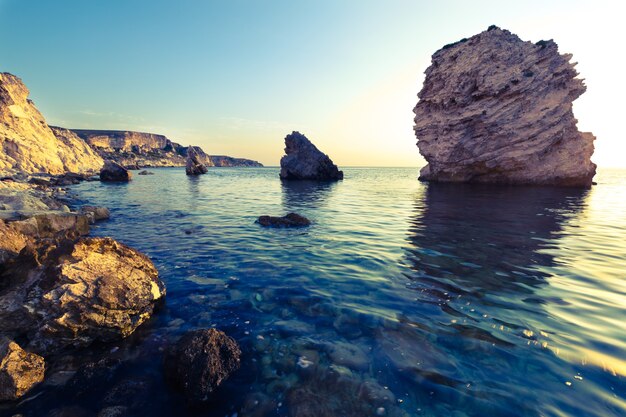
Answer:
(496, 109)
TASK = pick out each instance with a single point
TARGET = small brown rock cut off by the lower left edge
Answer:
(19, 370)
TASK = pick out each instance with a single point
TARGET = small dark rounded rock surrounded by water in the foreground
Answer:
(200, 361)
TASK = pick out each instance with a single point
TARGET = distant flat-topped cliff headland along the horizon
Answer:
(135, 150)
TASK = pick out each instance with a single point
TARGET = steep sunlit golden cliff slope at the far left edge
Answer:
(27, 143)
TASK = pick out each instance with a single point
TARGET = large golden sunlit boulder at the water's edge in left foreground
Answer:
(71, 293)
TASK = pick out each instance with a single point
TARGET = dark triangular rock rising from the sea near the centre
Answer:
(303, 161)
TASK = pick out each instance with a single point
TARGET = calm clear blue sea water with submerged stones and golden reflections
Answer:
(402, 298)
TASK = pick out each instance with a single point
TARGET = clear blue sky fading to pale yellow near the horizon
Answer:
(236, 76)
